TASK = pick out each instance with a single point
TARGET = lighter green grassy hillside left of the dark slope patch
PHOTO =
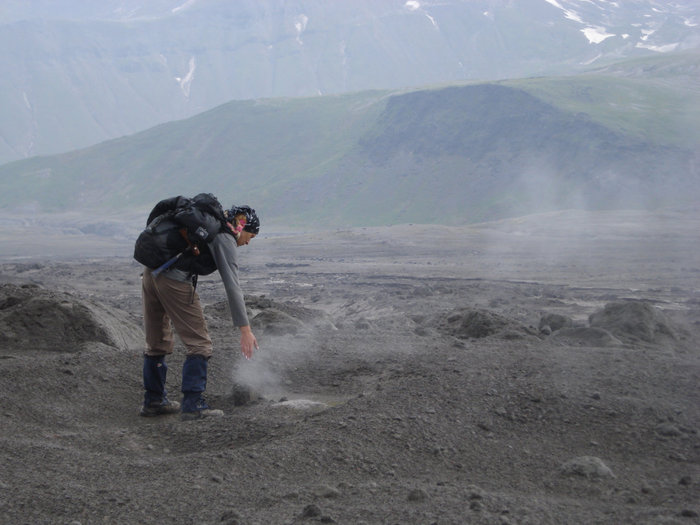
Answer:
(261, 145)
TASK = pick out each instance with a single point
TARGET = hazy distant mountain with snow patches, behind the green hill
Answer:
(76, 73)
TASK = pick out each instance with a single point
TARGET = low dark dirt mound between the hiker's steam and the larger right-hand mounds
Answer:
(466, 323)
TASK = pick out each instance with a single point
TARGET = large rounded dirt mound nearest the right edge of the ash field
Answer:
(633, 321)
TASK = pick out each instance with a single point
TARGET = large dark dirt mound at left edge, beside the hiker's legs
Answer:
(34, 318)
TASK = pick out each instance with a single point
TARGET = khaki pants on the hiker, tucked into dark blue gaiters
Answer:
(167, 300)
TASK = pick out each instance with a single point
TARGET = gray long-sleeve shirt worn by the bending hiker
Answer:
(223, 248)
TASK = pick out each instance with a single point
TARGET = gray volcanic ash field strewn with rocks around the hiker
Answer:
(540, 370)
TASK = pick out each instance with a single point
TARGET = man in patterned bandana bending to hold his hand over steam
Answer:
(169, 297)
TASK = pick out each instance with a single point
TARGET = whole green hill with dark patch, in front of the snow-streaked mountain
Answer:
(453, 154)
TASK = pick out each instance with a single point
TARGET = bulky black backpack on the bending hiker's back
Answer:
(181, 228)
